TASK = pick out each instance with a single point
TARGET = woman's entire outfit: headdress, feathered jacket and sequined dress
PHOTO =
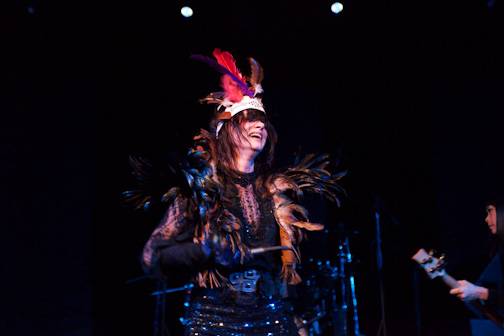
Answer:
(215, 224)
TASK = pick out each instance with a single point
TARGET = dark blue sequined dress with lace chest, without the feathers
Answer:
(243, 299)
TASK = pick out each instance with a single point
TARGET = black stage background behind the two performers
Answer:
(407, 95)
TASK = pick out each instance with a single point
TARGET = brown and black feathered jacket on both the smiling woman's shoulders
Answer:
(197, 211)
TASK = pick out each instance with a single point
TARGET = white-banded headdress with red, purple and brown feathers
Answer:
(239, 92)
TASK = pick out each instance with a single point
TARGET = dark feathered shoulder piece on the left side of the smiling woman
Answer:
(190, 191)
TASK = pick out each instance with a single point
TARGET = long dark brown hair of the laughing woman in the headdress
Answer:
(227, 148)
